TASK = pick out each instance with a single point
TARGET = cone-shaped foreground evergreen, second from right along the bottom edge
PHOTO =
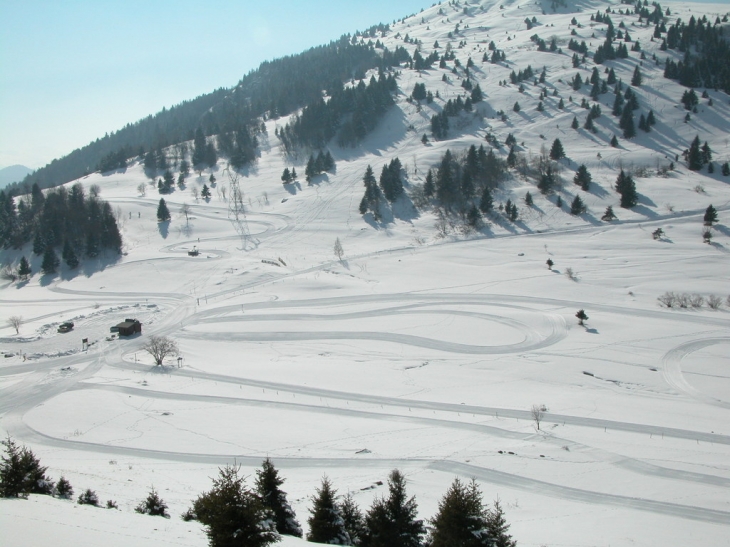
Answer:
(461, 520)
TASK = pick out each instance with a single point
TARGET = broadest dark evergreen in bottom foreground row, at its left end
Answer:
(234, 516)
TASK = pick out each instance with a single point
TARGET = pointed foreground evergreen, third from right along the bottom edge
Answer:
(392, 521)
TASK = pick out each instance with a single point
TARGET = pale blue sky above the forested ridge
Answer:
(73, 70)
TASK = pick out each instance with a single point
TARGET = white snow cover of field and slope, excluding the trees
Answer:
(417, 350)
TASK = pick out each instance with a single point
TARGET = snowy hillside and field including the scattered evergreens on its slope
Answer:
(346, 325)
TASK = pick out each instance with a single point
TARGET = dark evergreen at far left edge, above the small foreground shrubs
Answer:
(21, 472)
